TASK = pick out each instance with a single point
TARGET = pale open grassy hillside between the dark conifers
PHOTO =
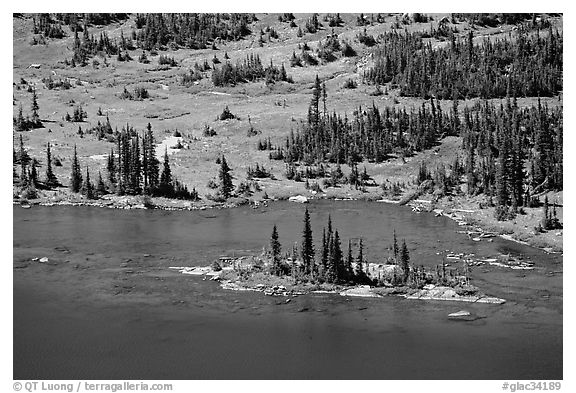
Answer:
(173, 106)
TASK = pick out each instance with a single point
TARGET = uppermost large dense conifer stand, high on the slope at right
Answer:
(526, 64)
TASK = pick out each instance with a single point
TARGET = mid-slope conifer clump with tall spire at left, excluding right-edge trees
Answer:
(371, 134)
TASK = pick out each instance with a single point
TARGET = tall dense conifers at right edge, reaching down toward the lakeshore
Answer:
(513, 153)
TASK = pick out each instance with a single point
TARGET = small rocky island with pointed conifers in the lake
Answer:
(303, 271)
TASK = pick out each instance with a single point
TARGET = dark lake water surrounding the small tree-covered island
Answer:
(107, 306)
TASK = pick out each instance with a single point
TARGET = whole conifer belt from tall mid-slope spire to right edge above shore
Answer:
(512, 153)
